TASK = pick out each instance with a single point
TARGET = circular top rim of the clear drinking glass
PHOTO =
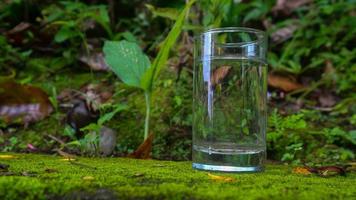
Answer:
(261, 35)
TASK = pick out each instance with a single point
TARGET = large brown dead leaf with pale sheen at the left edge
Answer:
(23, 103)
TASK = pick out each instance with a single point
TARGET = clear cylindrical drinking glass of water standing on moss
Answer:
(229, 100)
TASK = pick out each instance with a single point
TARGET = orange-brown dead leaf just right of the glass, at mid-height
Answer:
(283, 83)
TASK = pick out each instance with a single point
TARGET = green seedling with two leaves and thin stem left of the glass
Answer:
(134, 68)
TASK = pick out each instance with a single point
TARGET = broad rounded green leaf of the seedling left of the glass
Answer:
(127, 61)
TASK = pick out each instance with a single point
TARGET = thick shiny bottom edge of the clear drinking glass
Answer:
(220, 168)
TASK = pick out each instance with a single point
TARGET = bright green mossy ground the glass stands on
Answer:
(52, 177)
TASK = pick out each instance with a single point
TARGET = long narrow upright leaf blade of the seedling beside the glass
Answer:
(162, 57)
